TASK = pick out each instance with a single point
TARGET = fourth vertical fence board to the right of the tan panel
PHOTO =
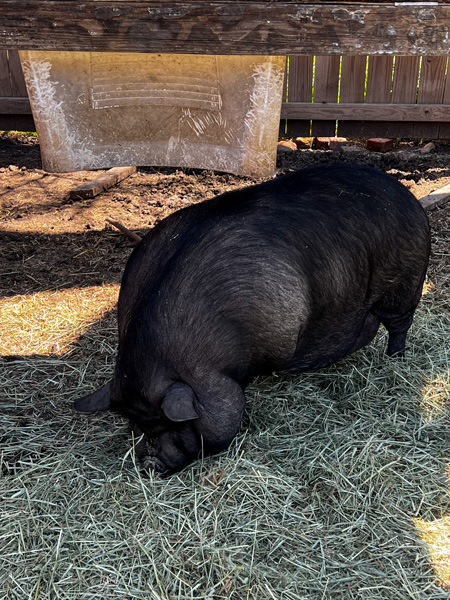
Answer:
(378, 91)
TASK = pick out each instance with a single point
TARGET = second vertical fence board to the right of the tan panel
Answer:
(326, 84)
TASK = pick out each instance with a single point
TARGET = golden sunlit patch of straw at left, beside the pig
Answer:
(51, 322)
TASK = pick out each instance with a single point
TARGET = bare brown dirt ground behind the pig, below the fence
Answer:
(50, 242)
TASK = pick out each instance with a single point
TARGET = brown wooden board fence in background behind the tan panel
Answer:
(375, 96)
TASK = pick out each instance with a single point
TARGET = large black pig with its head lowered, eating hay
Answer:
(285, 276)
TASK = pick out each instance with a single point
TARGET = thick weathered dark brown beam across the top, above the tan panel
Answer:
(227, 26)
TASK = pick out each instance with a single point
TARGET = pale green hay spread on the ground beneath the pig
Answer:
(336, 487)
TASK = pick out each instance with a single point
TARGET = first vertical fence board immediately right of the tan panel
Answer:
(300, 90)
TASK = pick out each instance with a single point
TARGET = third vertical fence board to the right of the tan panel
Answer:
(353, 75)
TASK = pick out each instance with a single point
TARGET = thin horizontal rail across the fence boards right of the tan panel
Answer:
(365, 112)
